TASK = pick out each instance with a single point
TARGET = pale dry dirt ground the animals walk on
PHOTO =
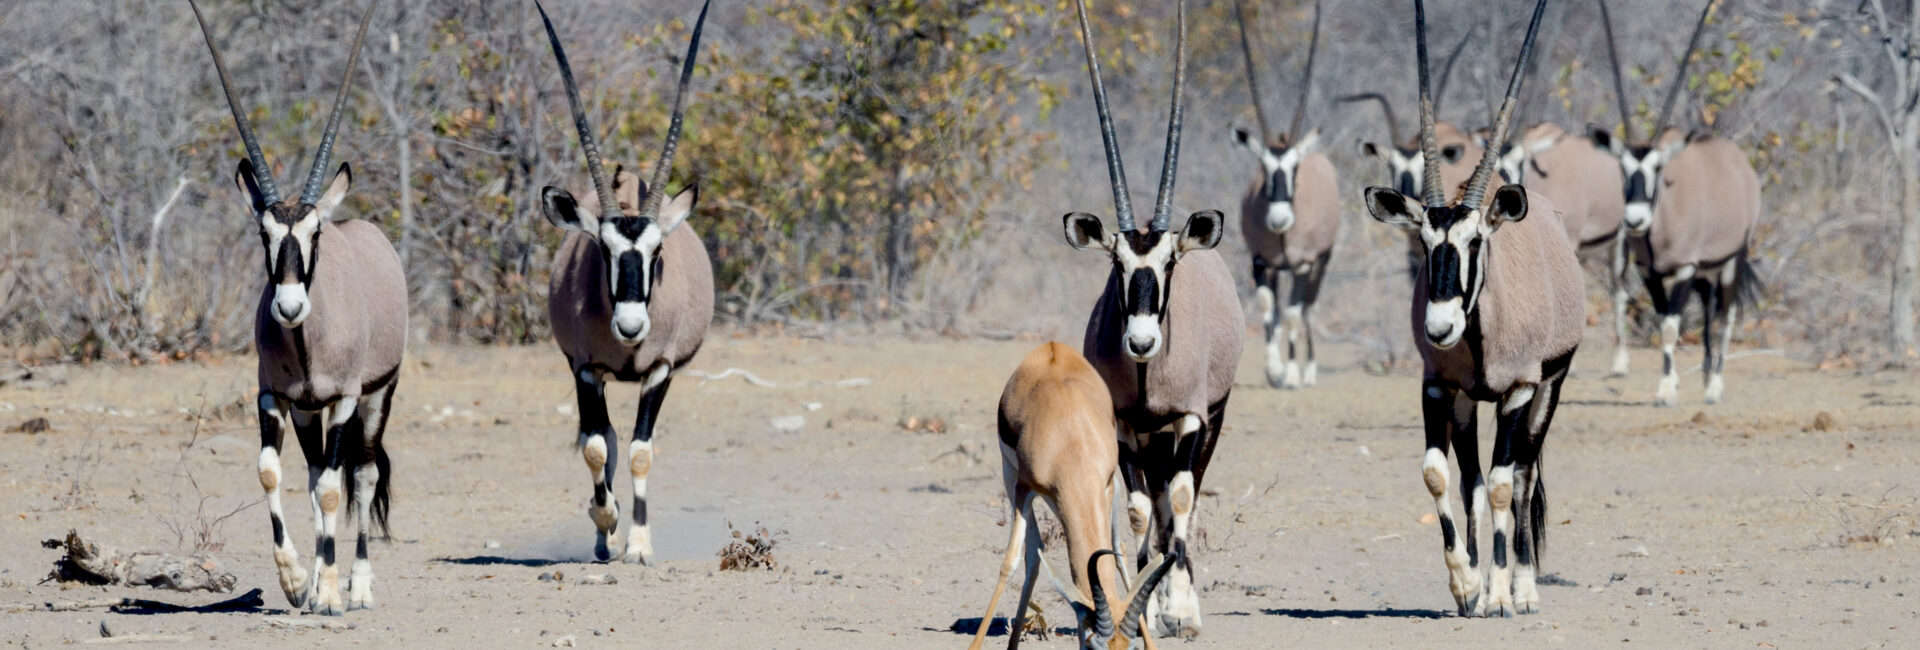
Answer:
(1733, 526)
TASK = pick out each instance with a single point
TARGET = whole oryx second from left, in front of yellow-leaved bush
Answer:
(631, 300)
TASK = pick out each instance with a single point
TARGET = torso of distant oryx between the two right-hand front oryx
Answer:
(1316, 204)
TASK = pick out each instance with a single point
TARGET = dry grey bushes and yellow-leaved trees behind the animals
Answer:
(871, 164)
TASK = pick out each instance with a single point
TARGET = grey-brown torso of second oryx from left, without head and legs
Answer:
(579, 308)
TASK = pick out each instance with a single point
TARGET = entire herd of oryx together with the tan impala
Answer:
(1497, 315)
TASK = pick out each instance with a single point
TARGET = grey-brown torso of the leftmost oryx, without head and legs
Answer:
(358, 329)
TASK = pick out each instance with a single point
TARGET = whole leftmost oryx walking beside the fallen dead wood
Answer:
(331, 331)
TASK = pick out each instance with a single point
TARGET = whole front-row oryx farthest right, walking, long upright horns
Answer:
(1497, 313)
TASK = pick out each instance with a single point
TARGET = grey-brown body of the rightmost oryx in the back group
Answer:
(1708, 206)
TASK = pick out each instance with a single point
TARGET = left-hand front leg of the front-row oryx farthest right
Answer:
(1439, 407)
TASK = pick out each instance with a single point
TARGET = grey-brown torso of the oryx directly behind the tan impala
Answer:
(1203, 340)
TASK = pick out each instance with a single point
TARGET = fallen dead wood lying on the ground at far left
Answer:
(103, 565)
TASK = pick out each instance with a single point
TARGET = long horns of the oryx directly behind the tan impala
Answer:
(1170, 164)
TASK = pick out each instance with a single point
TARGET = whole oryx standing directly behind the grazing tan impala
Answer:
(1166, 338)
